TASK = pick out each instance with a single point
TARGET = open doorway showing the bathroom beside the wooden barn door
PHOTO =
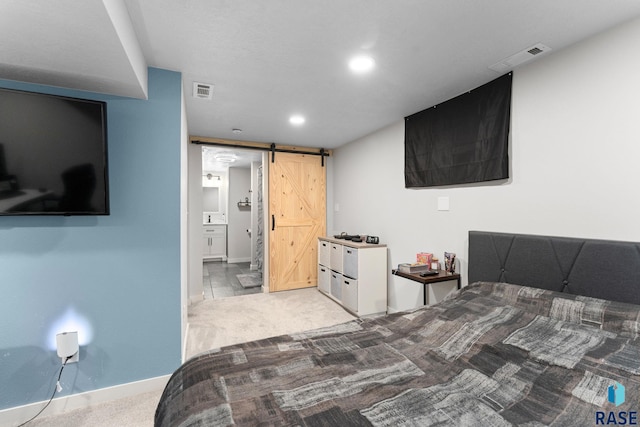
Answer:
(233, 215)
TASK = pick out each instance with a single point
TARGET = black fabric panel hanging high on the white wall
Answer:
(462, 140)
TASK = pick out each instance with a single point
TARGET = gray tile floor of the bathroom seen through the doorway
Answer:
(219, 279)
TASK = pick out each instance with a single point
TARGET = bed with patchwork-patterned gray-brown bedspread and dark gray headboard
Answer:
(553, 347)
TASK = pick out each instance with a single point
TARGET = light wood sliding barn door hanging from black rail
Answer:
(297, 209)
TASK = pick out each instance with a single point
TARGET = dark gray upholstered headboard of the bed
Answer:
(596, 268)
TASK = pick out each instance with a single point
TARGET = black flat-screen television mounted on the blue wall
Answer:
(53, 155)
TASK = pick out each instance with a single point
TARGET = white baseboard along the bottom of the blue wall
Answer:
(60, 405)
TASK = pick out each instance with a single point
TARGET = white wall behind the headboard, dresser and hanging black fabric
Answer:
(575, 161)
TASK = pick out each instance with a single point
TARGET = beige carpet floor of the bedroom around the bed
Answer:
(213, 324)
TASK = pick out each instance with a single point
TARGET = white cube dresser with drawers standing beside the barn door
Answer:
(354, 274)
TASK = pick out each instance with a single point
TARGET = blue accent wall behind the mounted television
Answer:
(117, 276)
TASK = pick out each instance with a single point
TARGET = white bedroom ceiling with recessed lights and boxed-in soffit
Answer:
(268, 59)
